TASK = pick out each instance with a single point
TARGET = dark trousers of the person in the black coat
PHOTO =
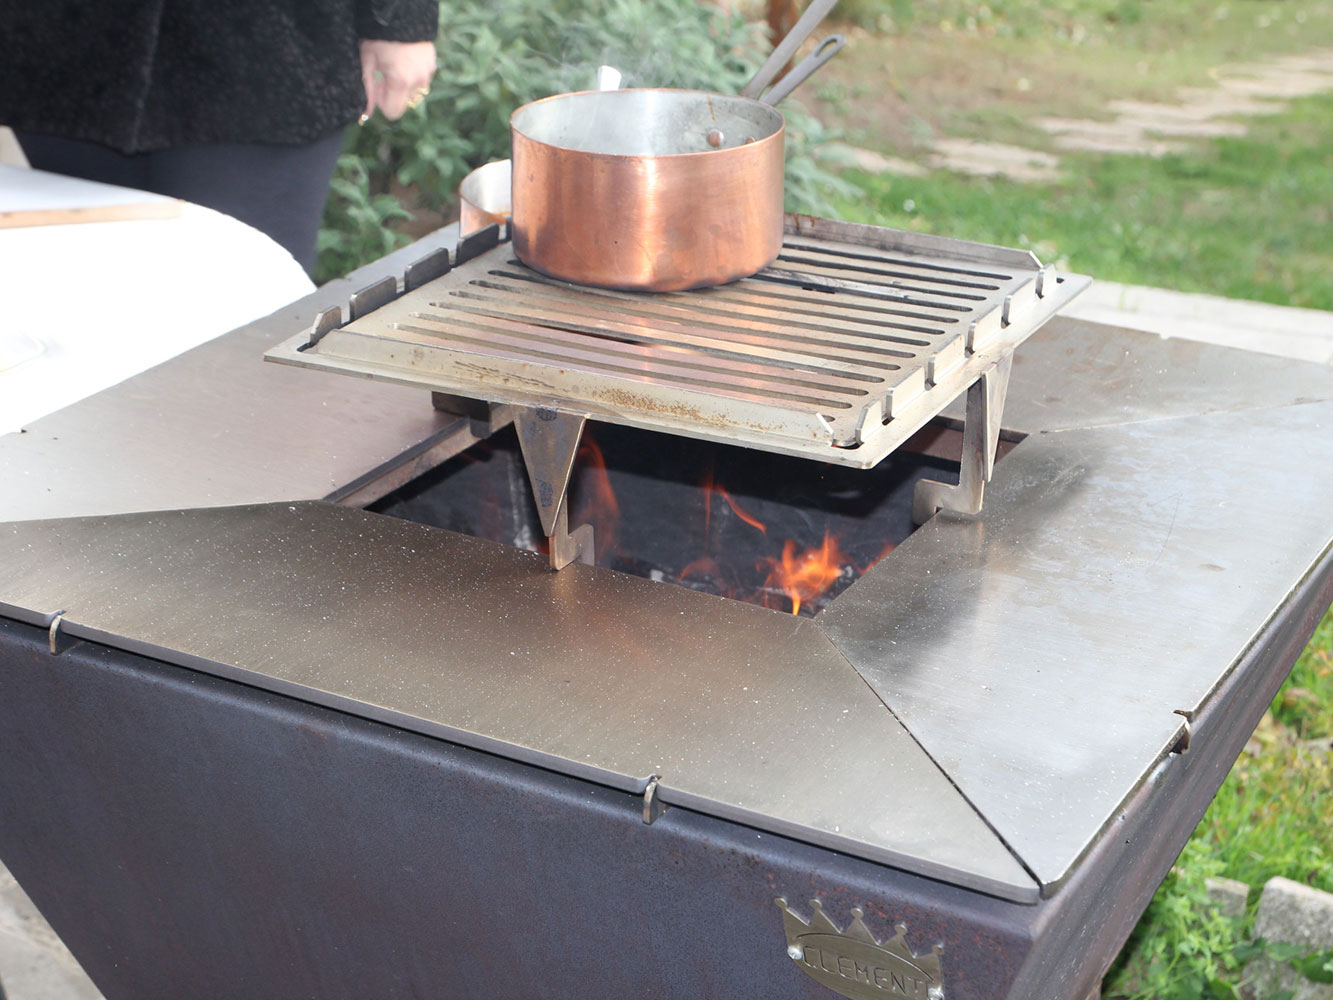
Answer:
(279, 190)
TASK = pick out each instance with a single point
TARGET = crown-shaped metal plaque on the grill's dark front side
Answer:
(854, 963)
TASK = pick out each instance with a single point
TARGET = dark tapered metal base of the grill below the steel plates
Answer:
(194, 837)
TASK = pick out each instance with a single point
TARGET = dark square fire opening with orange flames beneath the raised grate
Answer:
(782, 533)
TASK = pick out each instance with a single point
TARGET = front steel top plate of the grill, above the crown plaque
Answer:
(743, 713)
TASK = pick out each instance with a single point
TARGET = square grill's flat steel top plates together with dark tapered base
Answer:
(306, 795)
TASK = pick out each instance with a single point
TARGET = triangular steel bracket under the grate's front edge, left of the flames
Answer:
(550, 439)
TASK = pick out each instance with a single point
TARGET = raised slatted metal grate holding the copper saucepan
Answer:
(852, 341)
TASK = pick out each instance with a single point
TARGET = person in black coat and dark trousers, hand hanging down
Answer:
(238, 106)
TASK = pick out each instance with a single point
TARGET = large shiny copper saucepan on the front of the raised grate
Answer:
(653, 190)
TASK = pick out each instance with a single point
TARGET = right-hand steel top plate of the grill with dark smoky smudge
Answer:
(1043, 650)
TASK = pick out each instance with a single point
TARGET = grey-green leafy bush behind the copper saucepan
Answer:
(497, 55)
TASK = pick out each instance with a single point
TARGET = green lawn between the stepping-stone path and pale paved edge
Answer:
(1247, 218)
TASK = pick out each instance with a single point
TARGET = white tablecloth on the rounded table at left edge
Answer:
(85, 307)
